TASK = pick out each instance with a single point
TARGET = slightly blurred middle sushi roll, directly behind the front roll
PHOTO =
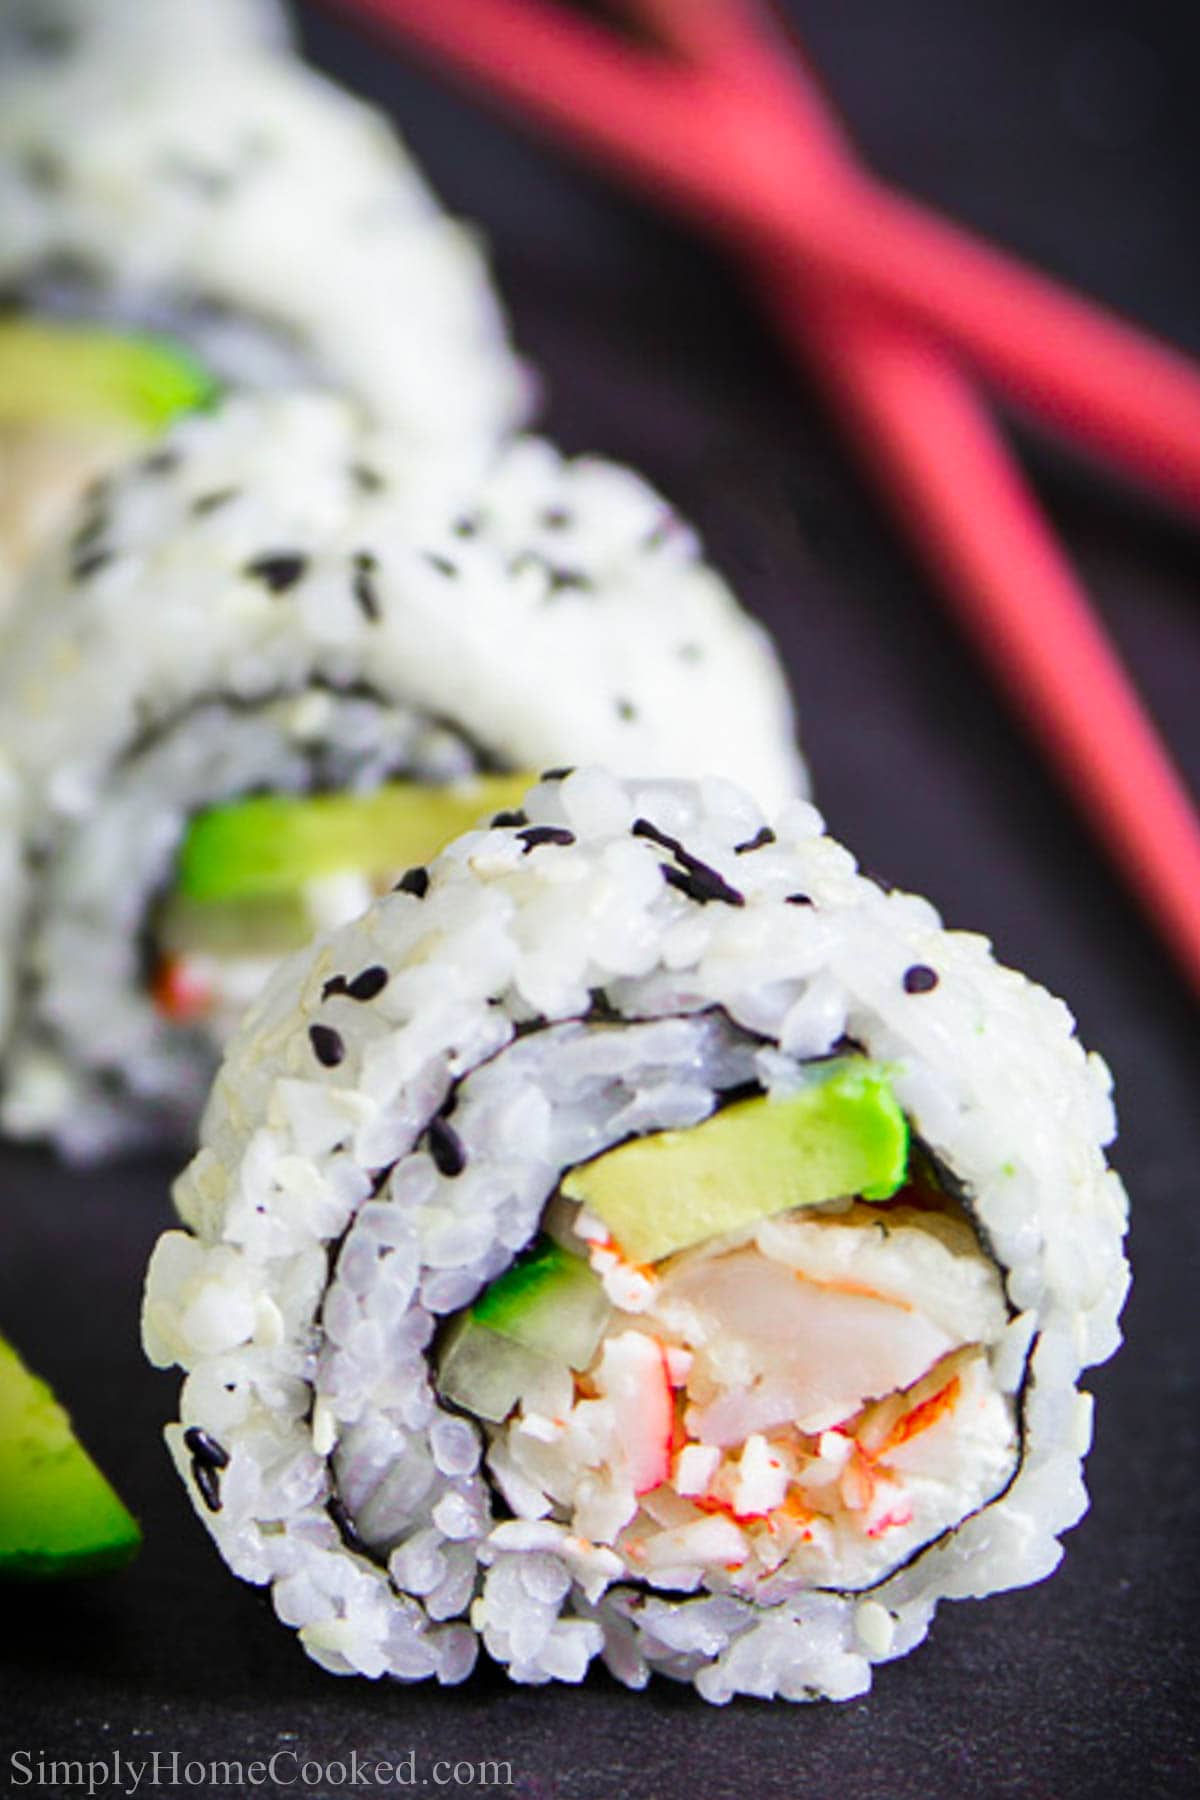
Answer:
(278, 663)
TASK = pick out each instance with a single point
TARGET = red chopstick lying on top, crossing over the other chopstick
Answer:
(1133, 400)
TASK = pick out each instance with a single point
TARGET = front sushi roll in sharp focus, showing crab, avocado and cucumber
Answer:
(643, 1239)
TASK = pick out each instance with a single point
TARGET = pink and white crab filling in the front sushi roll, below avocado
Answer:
(805, 1405)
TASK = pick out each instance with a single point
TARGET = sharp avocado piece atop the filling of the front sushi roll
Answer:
(837, 1137)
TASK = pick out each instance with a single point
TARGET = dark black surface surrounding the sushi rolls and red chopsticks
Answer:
(1071, 132)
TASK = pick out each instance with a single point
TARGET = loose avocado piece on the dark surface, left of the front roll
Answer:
(58, 1515)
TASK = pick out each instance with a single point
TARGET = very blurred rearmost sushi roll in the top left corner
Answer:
(183, 208)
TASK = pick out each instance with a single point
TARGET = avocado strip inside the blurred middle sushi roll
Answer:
(276, 843)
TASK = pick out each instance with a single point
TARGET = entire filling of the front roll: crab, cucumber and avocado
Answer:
(807, 1399)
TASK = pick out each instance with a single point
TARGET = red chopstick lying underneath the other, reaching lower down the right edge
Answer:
(963, 501)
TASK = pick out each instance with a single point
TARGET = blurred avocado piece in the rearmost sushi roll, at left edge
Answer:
(78, 375)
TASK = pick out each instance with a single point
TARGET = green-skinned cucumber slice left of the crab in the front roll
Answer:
(548, 1302)
